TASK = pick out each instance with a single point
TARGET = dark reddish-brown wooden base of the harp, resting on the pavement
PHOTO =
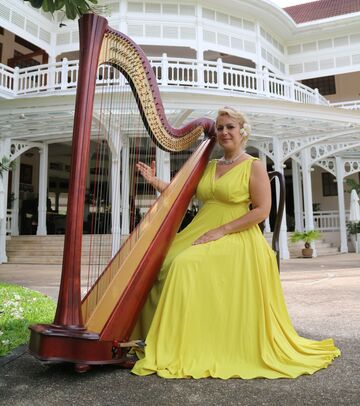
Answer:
(82, 348)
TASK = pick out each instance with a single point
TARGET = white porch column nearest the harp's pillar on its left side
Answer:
(43, 176)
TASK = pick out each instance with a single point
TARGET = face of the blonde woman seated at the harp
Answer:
(228, 134)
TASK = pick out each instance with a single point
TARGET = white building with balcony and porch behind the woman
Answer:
(294, 72)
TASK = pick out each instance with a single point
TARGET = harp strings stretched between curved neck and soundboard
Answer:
(118, 115)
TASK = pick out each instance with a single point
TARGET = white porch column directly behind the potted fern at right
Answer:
(307, 189)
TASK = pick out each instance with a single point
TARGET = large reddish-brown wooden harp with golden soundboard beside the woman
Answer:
(88, 331)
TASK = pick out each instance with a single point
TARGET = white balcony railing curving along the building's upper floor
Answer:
(62, 77)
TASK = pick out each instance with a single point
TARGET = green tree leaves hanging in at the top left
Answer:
(72, 8)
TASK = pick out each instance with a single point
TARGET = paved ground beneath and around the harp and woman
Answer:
(323, 298)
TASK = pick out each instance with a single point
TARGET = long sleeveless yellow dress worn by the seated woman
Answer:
(220, 310)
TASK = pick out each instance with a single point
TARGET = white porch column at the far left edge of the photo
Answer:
(4, 180)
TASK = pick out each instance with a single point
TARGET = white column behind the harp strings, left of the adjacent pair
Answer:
(115, 203)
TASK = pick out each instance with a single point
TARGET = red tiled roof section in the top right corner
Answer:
(316, 10)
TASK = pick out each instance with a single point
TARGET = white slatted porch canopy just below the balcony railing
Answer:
(50, 119)
